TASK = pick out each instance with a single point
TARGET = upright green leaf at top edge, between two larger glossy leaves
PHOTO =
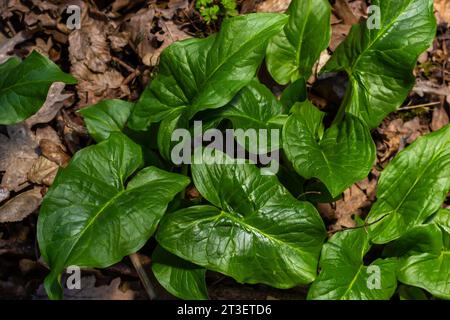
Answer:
(292, 53)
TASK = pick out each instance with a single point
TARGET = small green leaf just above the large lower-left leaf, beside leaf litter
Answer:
(106, 117)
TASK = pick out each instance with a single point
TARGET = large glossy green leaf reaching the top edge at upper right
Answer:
(380, 61)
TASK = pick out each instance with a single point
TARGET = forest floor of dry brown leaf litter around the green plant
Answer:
(113, 55)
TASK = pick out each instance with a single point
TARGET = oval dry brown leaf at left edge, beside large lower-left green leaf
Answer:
(21, 206)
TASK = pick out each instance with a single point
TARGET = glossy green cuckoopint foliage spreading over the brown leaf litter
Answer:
(255, 228)
